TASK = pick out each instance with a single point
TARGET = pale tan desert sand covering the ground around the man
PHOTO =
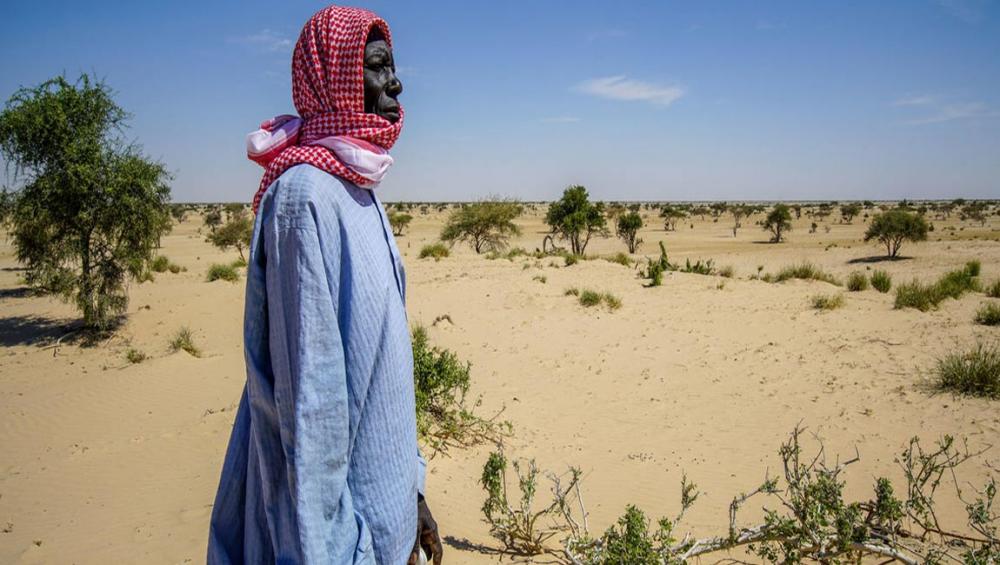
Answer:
(106, 461)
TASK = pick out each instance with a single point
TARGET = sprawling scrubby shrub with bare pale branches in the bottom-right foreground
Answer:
(809, 505)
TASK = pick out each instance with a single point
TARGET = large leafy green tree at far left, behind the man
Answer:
(90, 207)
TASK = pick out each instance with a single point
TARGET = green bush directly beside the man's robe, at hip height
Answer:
(441, 383)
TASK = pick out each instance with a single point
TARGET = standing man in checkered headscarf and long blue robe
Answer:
(322, 465)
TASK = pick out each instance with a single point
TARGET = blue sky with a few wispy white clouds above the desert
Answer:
(635, 100)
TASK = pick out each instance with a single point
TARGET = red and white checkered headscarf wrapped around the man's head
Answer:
(334, 133)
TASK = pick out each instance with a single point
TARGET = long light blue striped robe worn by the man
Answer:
(322, 465)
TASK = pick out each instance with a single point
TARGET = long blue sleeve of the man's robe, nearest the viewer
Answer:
(310, 393)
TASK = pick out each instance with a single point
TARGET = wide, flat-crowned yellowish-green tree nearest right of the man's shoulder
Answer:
(486, 224)
